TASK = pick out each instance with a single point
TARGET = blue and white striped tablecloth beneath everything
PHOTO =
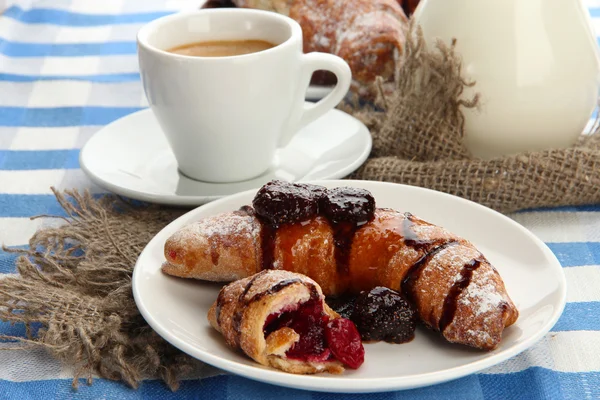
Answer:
(69, 67)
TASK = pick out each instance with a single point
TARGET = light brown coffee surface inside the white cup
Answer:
(222, 48)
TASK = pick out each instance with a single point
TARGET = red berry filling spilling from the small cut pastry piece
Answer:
(321, 339)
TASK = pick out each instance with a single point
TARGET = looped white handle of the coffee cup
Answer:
(312, 62)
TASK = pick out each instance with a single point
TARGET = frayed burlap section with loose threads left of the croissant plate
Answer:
(75, 281)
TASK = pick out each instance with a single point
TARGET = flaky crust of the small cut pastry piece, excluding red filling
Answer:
(243, 306)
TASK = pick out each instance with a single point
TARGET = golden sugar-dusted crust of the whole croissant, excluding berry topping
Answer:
(453, 286)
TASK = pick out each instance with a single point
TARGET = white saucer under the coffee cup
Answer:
(131, 157)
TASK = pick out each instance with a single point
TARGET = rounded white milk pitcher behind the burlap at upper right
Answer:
(536, 64)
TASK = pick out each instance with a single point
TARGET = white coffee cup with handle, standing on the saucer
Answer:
(224, 117)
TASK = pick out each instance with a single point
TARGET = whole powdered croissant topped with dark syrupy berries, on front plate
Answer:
(341, 240)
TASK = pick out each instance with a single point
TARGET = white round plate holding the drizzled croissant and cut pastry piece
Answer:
(176, 308)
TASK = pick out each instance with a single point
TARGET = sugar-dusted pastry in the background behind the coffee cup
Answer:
(368, 34)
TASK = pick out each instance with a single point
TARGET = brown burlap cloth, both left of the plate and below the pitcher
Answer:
(75, 279)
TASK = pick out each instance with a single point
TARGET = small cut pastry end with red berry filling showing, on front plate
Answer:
(280, 319)
